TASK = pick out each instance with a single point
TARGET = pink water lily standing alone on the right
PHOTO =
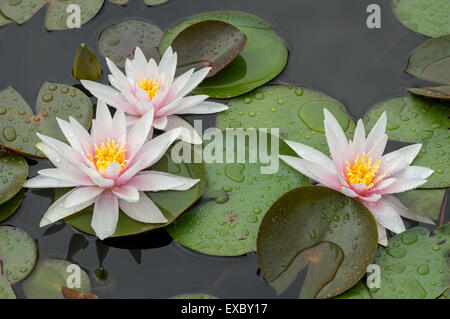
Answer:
(359, 170)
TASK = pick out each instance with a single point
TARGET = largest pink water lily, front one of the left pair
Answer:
(106, 168)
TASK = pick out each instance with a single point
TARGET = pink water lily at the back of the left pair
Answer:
(148, 87)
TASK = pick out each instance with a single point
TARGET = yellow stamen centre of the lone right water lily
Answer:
(362, 171)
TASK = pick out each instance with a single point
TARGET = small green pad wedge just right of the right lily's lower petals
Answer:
(425, 202)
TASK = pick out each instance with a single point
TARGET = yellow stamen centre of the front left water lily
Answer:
(107, 153)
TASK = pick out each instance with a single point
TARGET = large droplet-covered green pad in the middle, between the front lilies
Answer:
(228, 225)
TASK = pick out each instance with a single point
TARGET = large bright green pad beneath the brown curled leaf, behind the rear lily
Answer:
(263, 57)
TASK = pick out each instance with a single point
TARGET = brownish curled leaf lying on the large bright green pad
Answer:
(209, 43)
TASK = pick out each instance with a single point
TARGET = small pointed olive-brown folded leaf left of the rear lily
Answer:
(86, 66)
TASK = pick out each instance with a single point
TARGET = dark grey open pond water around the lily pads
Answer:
(331, 50)
